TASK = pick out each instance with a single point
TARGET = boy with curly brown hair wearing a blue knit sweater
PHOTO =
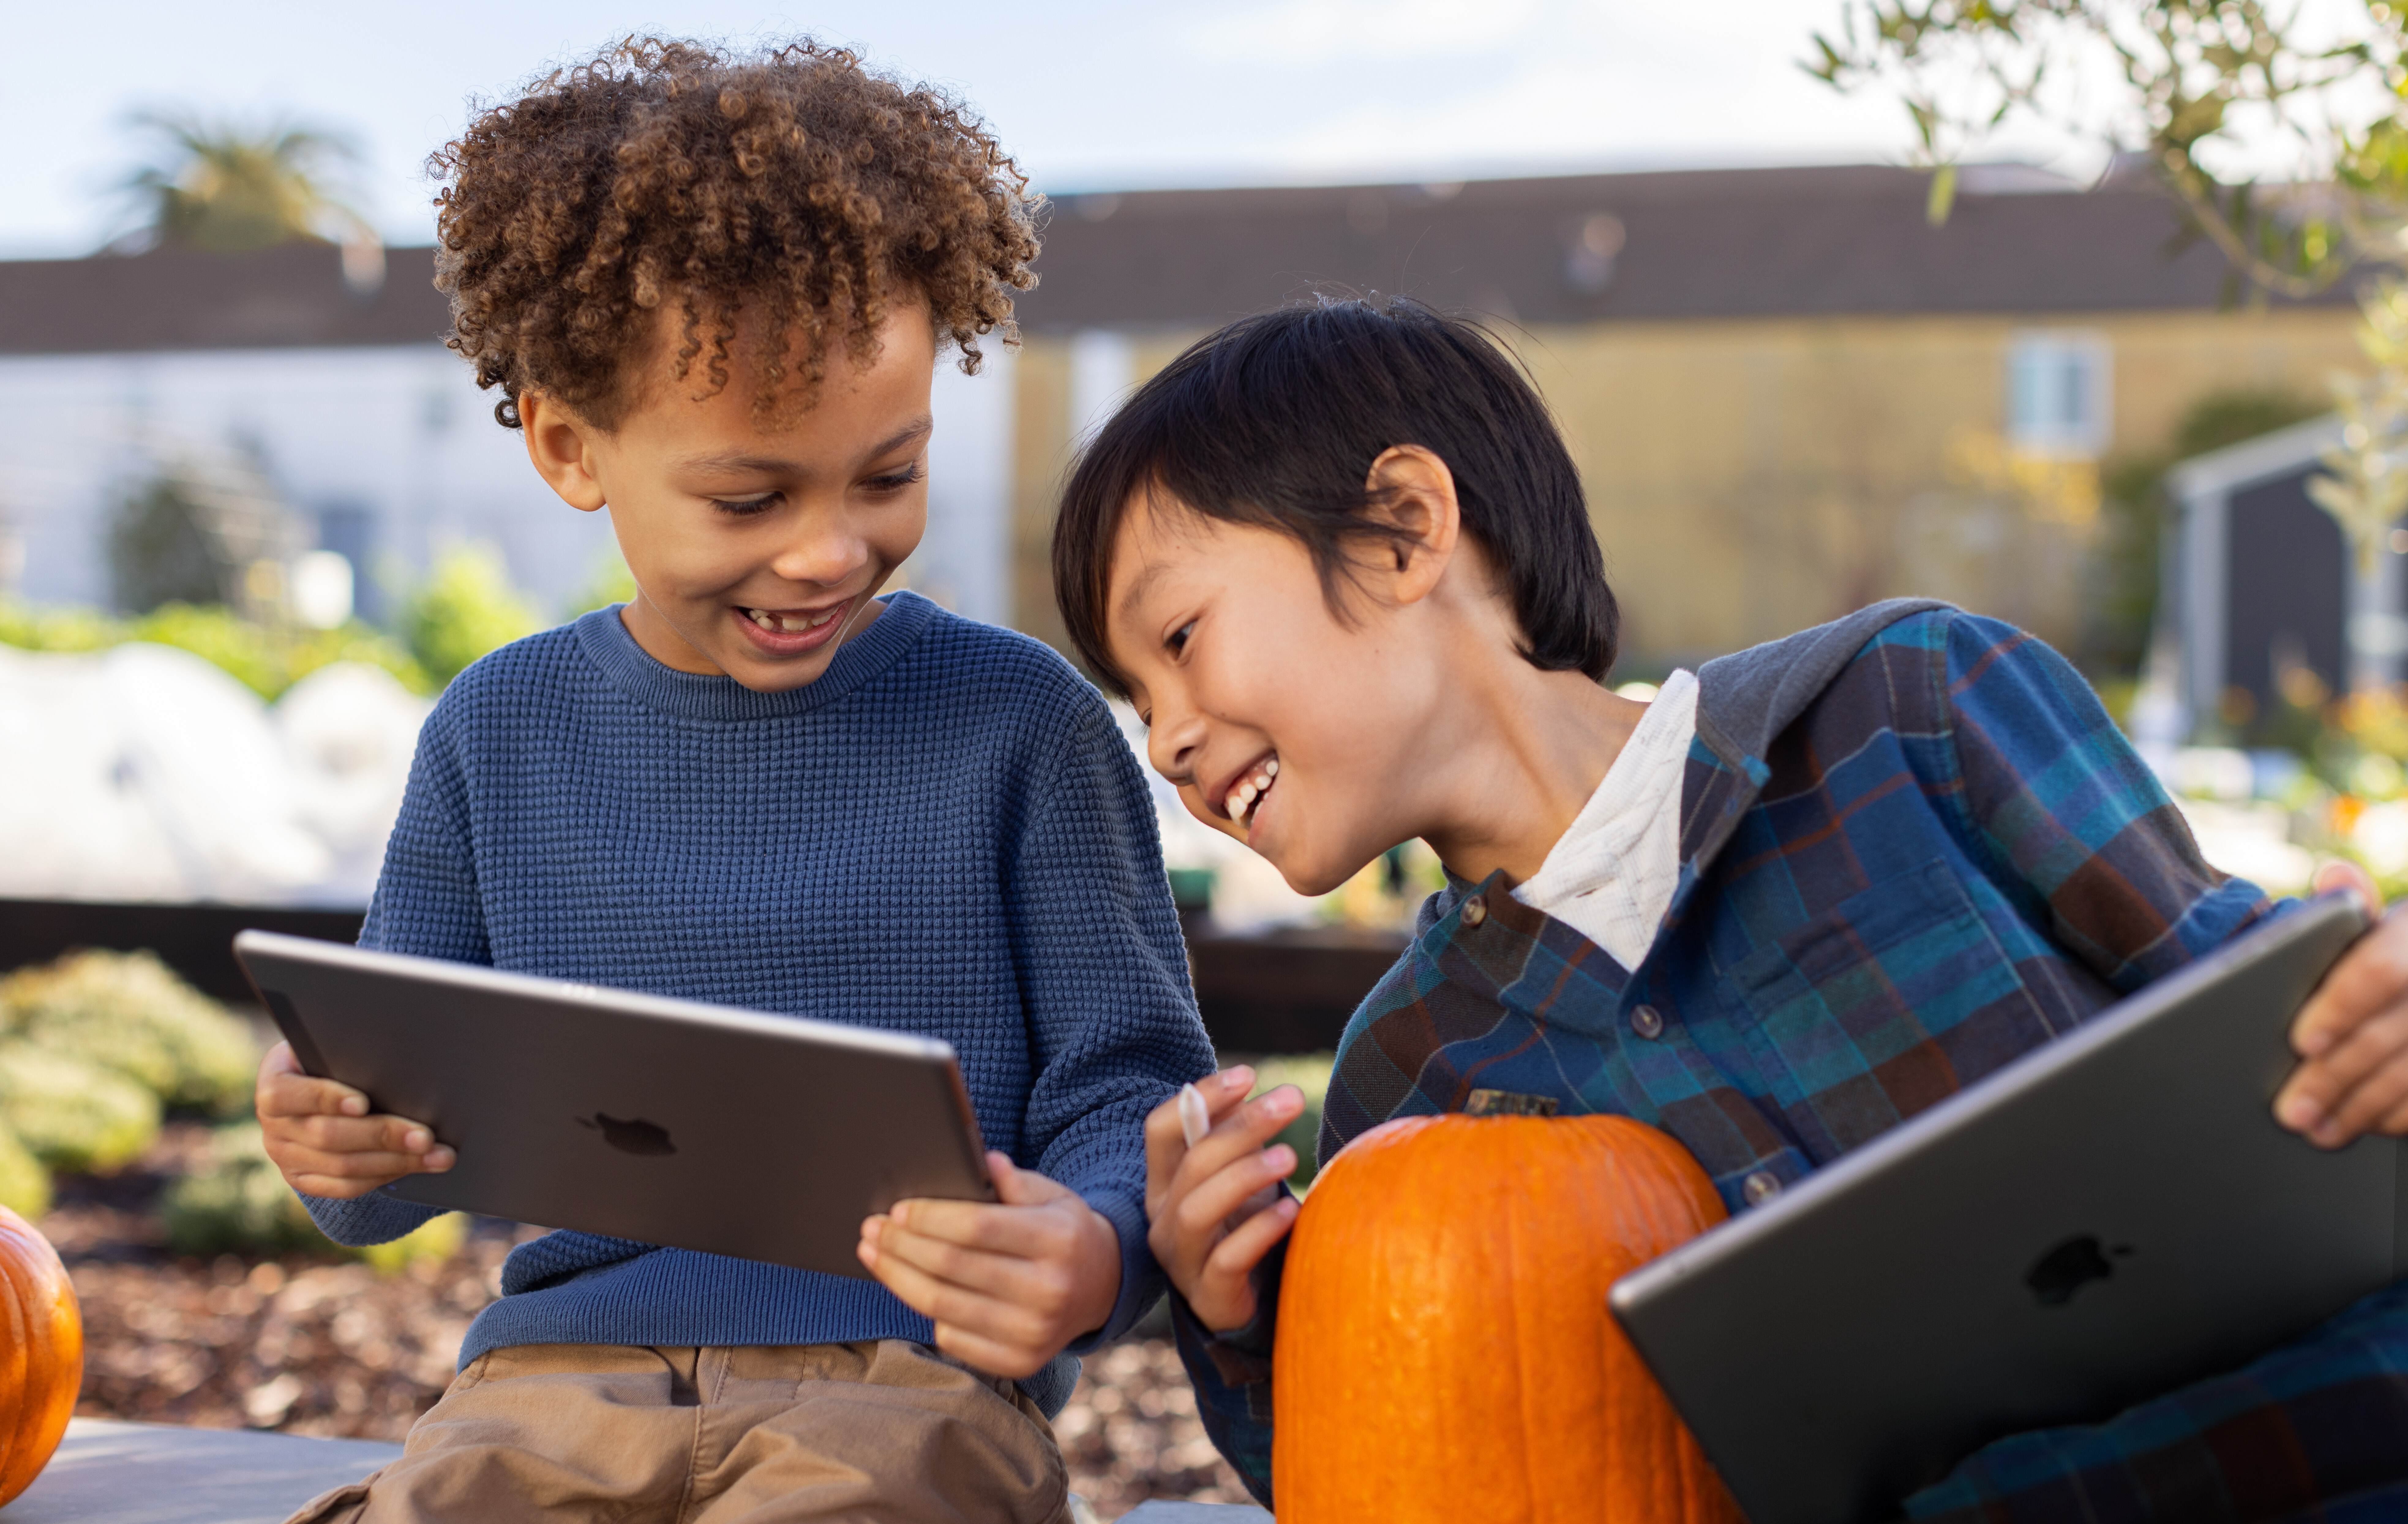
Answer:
(712, 293)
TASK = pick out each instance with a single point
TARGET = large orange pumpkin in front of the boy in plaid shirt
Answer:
(1446, 1349)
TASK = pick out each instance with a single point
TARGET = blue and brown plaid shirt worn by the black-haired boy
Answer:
(1913, 849)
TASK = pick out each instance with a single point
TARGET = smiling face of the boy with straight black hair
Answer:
(1282, 723)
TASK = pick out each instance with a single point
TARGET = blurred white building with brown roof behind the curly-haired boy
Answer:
(334, 386)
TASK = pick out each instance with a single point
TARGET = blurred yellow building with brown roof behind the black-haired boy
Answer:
(1786, 389)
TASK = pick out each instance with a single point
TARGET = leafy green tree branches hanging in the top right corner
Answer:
(2195, 83)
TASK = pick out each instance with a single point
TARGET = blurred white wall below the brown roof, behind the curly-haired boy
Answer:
(406, 437)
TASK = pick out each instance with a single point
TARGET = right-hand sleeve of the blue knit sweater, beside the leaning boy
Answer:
(1104, 988)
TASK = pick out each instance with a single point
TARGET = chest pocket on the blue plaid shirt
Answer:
(1882, 1008)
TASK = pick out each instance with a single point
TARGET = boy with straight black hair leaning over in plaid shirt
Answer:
(1340, 560)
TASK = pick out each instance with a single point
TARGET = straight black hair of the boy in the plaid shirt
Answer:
(1277, 420)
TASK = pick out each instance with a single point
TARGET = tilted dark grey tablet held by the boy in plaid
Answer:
(2108, 1219)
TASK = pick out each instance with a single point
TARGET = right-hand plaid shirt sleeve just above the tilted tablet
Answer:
(2077, 825)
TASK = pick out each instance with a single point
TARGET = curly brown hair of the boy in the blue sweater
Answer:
(791, 184)
